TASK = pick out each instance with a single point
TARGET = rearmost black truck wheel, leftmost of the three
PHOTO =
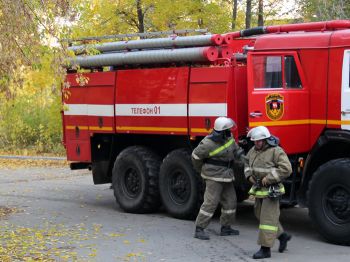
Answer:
(135, 180)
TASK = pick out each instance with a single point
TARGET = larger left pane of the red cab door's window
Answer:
(267, 71)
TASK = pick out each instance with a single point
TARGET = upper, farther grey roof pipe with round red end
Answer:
(178, 41)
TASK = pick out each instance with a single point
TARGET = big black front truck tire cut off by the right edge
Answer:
(329, 200)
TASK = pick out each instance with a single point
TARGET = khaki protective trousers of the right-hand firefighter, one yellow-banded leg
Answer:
(267, 211)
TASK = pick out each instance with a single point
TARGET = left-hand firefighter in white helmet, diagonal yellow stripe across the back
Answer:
(214, 158)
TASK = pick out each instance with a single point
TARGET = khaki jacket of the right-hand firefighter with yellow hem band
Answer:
(270, 162)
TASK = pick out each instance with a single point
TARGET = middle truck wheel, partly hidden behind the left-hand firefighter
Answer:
(180, 186)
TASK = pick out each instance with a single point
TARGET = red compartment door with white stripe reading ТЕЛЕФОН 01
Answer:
(152, 101)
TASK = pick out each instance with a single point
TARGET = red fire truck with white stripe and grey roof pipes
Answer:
(141, 106)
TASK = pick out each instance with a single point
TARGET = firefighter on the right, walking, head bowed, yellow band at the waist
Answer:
(266, 166)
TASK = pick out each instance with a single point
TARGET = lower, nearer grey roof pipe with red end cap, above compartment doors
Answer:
(192, 54)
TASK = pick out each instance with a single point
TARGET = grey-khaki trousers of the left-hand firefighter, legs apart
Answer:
(215, 193)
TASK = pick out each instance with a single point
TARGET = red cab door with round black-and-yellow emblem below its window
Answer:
(278, 98)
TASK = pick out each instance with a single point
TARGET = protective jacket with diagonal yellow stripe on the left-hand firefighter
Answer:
(214, 158)
